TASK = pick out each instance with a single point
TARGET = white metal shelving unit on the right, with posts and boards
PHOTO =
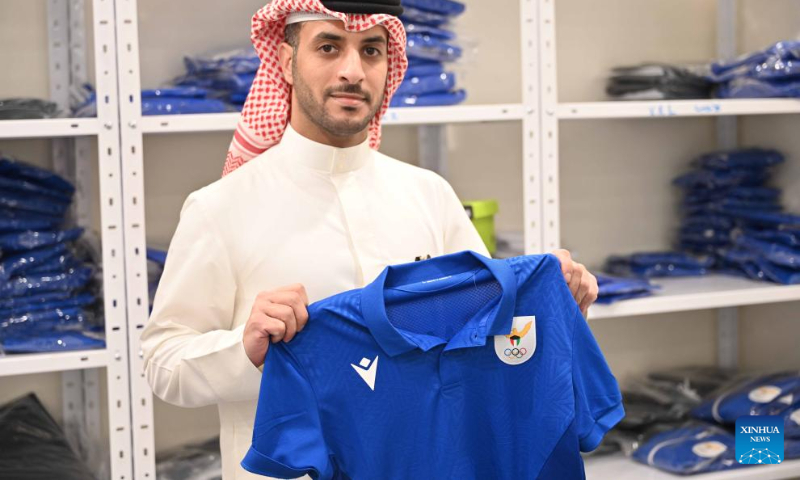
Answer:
(712, 292)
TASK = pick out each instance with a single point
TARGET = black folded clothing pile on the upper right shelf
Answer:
(654, 81)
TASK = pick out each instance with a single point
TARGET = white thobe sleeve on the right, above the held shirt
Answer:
(459, 232)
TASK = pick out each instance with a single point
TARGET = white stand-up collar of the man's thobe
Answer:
(324, 158)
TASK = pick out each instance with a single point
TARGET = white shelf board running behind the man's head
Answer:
(217, 122)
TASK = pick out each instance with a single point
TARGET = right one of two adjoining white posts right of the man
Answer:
(549, 171)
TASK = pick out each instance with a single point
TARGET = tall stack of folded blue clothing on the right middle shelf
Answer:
(732, 214)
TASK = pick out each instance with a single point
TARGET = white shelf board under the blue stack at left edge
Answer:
(52, 362)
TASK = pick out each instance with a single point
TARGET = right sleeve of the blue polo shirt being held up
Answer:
(598, 401)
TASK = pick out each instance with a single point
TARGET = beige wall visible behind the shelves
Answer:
(615, 175)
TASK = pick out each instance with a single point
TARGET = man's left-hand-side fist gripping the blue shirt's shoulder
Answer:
(276, 315)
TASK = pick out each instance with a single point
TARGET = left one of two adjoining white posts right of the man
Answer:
(531, 48)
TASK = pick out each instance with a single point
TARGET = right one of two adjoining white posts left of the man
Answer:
(135, 243)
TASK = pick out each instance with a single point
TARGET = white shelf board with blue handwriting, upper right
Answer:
(676, 108)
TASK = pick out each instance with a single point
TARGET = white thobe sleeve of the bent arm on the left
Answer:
(192, 355)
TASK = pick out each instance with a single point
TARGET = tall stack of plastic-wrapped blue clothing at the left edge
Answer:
(47, 288)
